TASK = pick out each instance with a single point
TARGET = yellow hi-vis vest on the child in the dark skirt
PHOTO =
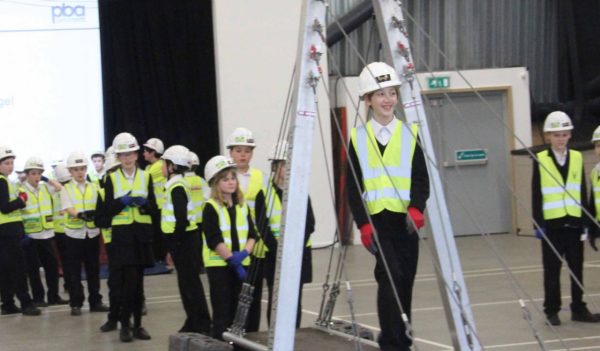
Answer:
(139, 187)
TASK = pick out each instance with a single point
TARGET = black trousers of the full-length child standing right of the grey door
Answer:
(567, 242)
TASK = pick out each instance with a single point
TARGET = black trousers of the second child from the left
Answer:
(40, 253)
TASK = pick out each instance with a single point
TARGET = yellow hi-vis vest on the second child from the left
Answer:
(38, 212)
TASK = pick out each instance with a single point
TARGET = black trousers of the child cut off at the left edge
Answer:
(13, 276)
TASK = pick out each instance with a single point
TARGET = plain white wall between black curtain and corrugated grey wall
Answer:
(255, 48)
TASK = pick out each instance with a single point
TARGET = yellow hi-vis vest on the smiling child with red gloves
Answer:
(387, 177)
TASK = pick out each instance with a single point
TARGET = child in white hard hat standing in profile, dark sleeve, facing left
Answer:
(178, 223)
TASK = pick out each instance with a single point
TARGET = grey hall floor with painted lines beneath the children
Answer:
(494, 299)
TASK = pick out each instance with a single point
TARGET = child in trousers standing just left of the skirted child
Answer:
(79, 199)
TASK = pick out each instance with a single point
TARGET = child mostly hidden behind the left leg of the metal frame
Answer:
(274, 195)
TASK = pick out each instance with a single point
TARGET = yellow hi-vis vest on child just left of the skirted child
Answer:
(82, 202)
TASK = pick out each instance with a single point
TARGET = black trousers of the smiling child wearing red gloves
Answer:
(401, 250)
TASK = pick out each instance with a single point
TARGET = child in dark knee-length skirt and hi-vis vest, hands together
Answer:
(130, 203)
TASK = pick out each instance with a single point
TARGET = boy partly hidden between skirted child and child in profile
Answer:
(153, 150)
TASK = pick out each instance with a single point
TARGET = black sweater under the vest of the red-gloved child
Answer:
(419, 190)
